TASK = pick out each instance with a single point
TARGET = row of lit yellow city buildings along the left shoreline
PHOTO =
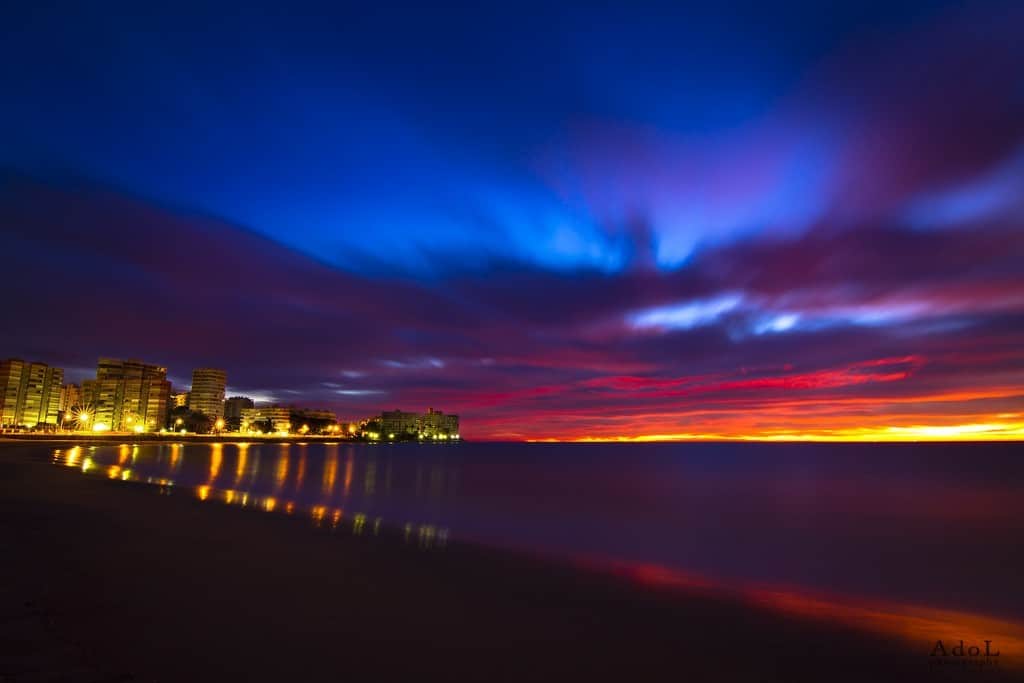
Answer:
(129, 396)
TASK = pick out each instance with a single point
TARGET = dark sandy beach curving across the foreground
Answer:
(103, 581)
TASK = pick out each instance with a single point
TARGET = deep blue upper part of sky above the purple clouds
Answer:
(476, 131)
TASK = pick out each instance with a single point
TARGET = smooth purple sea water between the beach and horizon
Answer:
(933, 525)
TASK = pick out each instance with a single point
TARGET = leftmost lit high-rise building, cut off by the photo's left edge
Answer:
(30, 394)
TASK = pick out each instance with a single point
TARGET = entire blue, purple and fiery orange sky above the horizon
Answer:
(560, 221)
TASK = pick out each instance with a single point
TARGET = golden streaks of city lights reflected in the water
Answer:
(199, 473)
